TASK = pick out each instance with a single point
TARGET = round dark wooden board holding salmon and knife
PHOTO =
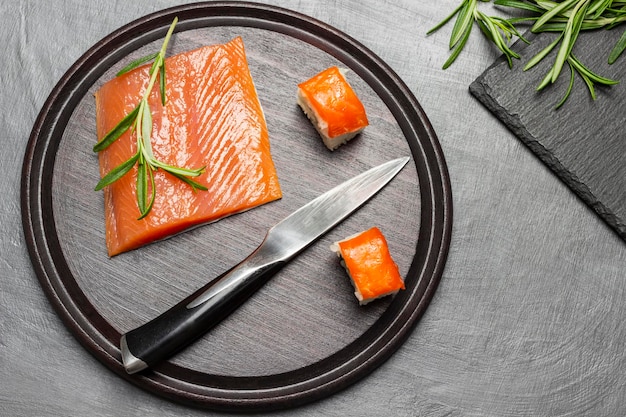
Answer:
(302, 336)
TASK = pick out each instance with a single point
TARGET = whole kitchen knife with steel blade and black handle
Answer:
(195, 315)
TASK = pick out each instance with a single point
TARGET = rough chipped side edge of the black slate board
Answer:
(481, 91)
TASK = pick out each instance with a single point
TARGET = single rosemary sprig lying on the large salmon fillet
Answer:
(139, 120)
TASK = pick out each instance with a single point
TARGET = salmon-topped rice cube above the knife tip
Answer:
(333, 107)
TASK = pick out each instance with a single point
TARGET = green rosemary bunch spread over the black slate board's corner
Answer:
(567, 18)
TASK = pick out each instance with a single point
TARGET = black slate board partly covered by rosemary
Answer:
(583, 141)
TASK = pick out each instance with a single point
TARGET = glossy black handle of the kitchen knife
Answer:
(179, 326)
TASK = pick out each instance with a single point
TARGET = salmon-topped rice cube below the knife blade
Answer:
(369, 264)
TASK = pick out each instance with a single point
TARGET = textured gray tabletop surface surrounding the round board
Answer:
(527, 319)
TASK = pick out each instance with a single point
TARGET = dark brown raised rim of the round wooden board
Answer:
(191, 387)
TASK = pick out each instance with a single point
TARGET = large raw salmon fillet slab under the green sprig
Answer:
(212, 118)
